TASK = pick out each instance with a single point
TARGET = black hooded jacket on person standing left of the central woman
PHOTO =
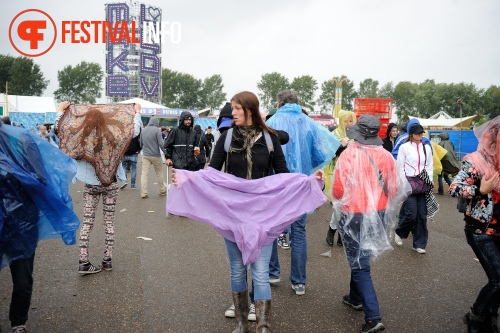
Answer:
(180, 143)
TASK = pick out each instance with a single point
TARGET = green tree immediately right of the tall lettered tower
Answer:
(180, 90)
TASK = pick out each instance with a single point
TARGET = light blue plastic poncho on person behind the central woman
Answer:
(311, 146)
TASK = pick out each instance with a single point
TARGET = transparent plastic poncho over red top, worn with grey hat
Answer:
(364, 214)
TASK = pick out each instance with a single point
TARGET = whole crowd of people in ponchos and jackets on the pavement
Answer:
(291, 158)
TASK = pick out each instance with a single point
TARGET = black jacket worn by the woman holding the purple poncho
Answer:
(237, 164)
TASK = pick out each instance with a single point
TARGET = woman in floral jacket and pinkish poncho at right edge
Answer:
(478, 183)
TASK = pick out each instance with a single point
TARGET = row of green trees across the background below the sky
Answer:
(82, 84)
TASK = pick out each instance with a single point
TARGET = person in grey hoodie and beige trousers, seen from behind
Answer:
(151, 143)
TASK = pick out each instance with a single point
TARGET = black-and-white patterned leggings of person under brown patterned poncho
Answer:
(91, 196)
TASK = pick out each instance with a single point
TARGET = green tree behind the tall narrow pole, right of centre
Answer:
(326, 100)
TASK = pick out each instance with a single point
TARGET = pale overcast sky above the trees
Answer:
(450, 41)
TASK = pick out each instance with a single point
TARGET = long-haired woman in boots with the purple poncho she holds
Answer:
(242, 203)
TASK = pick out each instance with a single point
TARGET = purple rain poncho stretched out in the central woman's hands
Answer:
(251, 213)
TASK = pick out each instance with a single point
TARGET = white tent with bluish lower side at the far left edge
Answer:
(29, 110)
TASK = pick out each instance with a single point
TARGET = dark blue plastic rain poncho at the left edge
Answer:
(34, 194)
